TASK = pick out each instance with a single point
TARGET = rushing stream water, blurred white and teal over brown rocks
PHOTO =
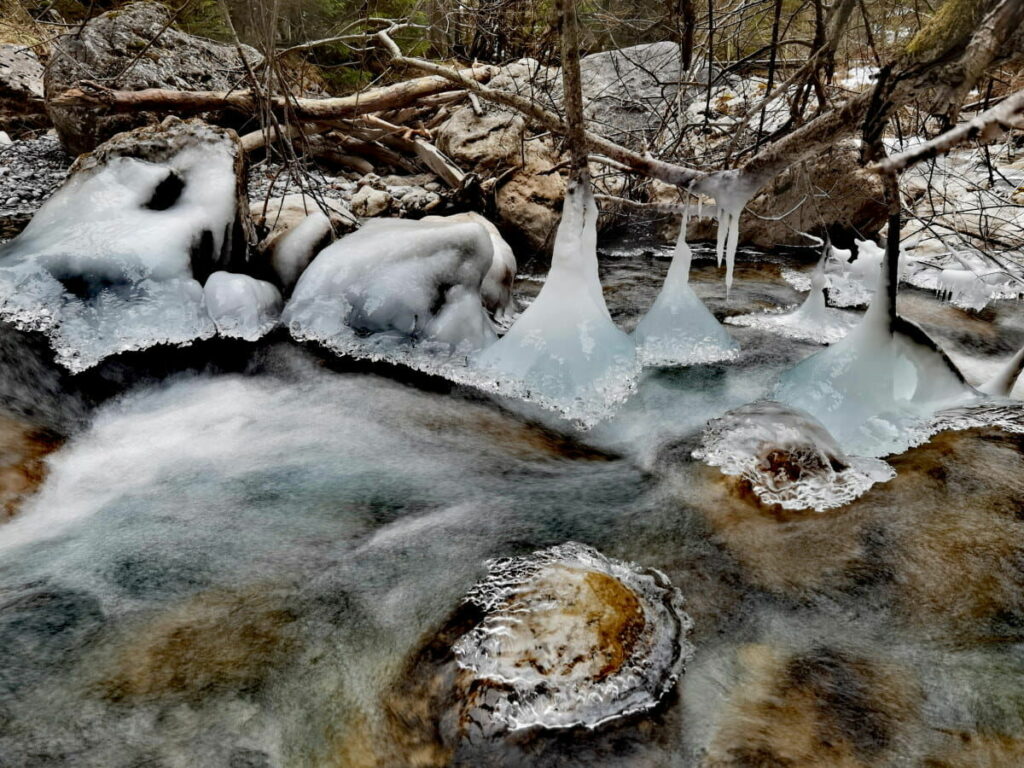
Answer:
(252, 568)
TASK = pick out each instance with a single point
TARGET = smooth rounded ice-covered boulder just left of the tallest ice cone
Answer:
(398, 290)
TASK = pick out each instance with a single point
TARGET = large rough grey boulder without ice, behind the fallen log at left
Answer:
(134, 49)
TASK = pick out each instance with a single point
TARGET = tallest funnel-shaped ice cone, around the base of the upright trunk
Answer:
(565, 353)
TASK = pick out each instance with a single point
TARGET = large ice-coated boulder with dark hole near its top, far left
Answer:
(106, 266)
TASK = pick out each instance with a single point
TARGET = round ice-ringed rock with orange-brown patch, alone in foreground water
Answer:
(572, 638)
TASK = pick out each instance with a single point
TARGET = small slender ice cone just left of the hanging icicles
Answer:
(678, 330)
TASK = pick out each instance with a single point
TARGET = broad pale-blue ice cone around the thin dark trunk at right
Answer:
(874, 389)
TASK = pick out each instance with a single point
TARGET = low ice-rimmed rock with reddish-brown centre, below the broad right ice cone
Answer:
(789, 458)
